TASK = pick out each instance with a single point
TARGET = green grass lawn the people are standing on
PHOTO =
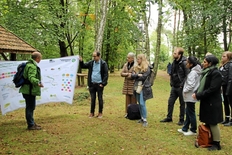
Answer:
(68, 130)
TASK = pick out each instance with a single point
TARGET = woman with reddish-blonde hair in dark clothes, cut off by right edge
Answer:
(226, 71)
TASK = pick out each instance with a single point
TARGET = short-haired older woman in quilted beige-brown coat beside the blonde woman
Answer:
(128, 82)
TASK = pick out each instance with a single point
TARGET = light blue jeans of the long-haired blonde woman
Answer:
(142, 105)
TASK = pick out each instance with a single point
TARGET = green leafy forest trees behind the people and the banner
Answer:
(115, 27)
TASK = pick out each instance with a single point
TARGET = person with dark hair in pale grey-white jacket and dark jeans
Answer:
(190, 86)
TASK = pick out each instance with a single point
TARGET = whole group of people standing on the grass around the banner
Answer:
(190, 82)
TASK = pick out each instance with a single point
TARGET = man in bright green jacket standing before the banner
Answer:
(30, 91)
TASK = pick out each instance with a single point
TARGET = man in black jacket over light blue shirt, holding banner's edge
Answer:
(97, 80)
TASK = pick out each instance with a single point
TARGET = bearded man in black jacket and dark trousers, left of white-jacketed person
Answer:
(177, 77)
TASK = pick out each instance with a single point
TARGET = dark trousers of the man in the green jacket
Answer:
(30, 107)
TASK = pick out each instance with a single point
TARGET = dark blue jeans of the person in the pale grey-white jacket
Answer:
(190, 117)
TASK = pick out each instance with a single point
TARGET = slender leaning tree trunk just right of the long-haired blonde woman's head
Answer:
(159, 28)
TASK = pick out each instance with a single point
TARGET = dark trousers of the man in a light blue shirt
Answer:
(93, 89)
